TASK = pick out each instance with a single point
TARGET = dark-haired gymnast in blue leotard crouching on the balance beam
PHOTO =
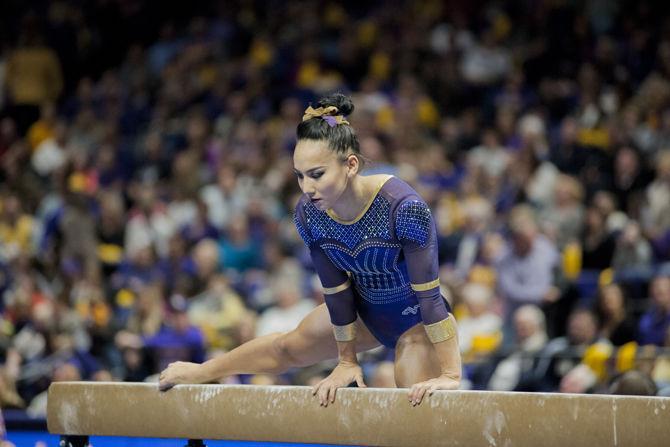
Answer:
(373, 244)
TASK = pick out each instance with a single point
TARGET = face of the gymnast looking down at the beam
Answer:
(322, 174)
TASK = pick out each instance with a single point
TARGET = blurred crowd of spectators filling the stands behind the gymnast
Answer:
(147, 190)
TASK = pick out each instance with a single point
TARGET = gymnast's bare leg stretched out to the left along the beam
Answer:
(311, 342)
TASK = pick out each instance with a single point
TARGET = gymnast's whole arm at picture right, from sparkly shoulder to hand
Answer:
(416, 231)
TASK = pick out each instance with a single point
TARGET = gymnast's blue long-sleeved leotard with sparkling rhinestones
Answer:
(382, 266)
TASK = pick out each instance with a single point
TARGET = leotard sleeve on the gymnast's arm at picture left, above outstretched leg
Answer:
(337, 287)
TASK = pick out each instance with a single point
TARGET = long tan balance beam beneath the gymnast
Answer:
(378, 417)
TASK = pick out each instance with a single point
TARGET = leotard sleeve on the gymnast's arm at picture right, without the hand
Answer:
(416, 231)
